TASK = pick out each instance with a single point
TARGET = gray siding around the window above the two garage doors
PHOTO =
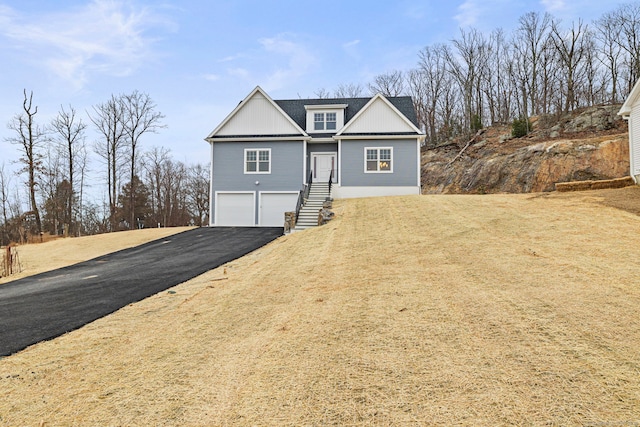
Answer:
(228, 168)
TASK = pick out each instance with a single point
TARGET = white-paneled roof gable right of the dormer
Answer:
(379, 116)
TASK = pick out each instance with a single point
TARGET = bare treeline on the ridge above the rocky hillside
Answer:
(545, 66)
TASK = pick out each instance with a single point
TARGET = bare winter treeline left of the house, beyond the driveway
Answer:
(144, 188)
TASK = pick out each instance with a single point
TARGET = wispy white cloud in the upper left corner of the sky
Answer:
(105, 36)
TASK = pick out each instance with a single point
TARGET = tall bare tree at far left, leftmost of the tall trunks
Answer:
(29, 137)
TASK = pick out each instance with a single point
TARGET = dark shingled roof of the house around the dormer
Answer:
(295, 107)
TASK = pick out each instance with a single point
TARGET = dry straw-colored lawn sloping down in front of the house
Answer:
(425, 310)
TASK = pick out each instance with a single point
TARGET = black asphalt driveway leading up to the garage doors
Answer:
(47, 305)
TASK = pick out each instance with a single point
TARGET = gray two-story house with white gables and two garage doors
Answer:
(264, 153)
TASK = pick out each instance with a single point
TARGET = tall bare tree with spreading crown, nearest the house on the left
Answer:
(140, 117)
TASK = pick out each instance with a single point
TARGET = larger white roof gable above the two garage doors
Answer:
(257, 114)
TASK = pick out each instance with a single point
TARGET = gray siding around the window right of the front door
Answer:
(405, 169)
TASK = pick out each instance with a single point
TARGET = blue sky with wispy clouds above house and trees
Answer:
(197, 59)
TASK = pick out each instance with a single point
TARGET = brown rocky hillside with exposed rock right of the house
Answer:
(590, 144)
